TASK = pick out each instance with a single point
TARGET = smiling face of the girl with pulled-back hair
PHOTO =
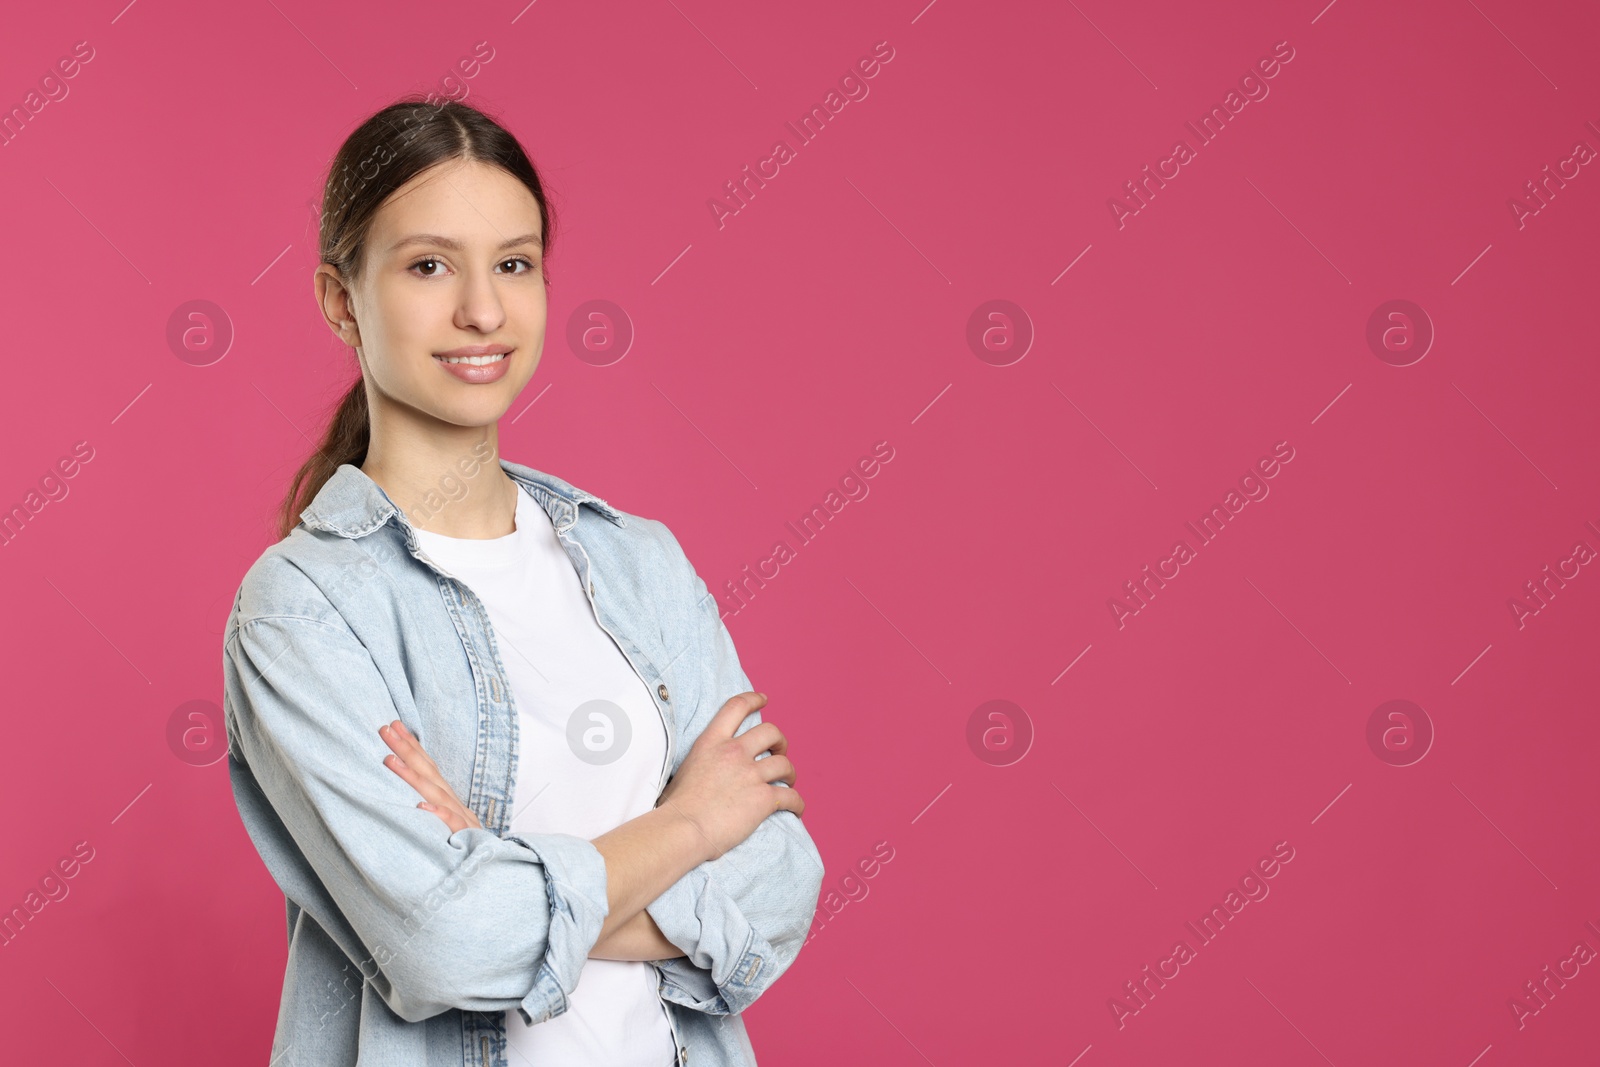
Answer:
(454, 266)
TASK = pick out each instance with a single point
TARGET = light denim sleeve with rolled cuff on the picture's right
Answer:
(743, 917)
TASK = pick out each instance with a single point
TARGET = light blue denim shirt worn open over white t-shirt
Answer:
(410, 943)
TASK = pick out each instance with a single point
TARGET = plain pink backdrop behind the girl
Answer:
(830, 314)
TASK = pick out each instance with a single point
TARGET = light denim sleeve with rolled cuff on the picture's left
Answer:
(446, 921)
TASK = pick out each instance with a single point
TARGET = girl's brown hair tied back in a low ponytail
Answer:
(382, 156)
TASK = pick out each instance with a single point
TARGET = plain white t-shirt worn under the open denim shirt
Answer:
(590, 757)
